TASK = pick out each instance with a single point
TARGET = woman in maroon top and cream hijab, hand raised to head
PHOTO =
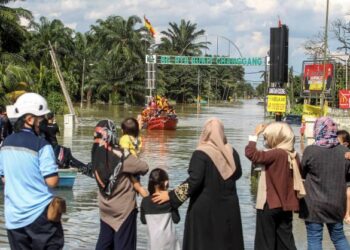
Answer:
(279, 185)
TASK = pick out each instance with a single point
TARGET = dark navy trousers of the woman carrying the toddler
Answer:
(123, 239)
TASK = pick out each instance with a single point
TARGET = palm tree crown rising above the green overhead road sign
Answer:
(181, 39)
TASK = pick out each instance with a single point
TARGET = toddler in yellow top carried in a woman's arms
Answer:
(132, 142)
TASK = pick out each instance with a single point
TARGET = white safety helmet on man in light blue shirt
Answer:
(28, 103)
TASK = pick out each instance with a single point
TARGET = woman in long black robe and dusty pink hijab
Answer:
(213, 219)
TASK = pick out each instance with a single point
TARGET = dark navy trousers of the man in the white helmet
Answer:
(41, 234)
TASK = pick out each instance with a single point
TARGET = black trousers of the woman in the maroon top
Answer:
(274, 230)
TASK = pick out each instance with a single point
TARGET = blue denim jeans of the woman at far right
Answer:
(315, 234)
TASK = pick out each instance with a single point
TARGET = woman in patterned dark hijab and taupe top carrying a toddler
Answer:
(116, 197)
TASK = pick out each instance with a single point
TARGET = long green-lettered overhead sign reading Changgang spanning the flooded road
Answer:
(207, 60)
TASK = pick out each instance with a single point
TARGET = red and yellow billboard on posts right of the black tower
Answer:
(314, 76)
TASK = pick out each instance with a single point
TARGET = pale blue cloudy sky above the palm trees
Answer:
(246, 23)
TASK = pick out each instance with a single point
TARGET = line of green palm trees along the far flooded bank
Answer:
(109, 59)
